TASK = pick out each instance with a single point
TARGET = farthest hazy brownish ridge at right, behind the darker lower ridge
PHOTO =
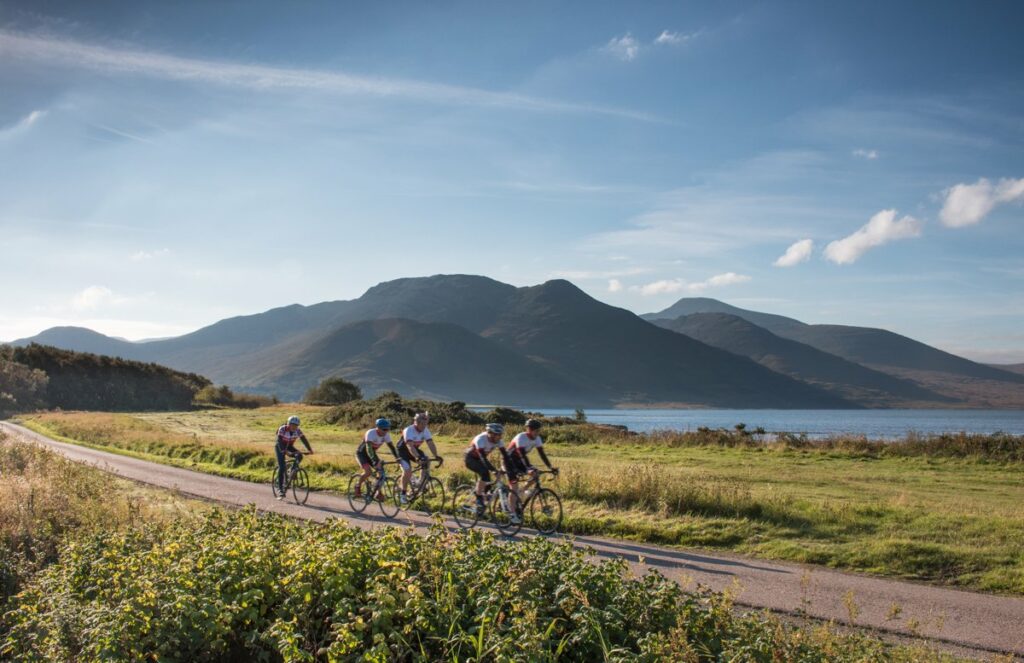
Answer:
(976, 385)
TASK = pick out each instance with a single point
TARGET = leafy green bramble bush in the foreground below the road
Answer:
(242, 587)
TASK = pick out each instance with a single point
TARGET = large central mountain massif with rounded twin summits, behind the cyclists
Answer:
(491, 342)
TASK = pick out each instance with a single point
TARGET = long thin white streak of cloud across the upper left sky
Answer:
(109, 61)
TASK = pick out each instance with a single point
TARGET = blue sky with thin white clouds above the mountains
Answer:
(163, 168)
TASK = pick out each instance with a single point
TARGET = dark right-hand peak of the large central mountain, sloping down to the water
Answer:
(613, 350)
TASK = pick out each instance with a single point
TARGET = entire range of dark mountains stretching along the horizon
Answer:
(552, 342)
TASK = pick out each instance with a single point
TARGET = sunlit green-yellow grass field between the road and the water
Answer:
(932, 517)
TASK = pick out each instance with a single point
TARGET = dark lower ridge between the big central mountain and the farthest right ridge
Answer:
(845, 379)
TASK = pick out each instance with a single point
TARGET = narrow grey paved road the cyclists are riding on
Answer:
(978, 623)
